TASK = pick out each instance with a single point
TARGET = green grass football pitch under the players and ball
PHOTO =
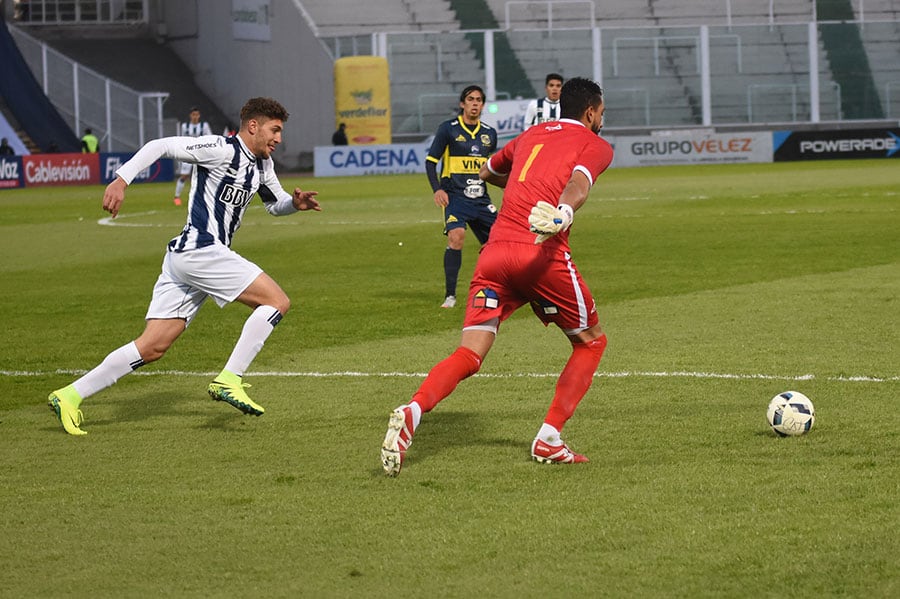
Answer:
(718, 286)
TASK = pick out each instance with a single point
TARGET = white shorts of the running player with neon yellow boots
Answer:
(188, 278)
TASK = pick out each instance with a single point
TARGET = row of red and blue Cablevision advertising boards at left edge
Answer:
(40, 170)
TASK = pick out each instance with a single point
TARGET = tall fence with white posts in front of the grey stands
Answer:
(689, 75)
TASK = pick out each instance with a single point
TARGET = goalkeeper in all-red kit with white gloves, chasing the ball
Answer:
(547, 173)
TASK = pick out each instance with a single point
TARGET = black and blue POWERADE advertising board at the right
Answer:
(830, 145)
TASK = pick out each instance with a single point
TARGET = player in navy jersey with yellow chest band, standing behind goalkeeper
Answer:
(461, 145)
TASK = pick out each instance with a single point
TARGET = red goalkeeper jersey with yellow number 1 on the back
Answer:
(540, 162)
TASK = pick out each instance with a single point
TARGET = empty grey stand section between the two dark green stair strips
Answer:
(650, 54)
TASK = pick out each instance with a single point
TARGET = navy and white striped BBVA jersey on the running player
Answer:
(226, 177)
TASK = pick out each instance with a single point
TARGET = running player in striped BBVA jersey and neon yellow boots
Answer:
(199, 262)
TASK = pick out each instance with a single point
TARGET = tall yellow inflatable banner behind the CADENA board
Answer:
(362, 99)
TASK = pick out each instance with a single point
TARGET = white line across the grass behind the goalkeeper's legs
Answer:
(539, 375)
